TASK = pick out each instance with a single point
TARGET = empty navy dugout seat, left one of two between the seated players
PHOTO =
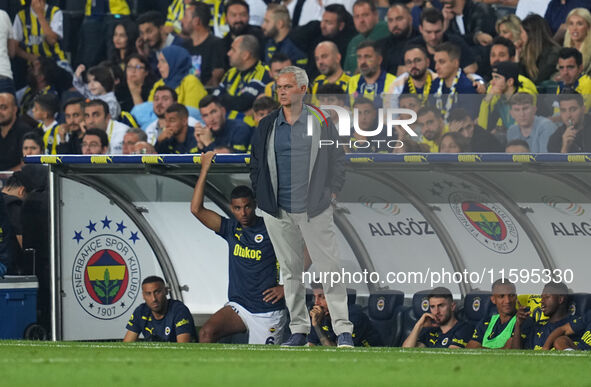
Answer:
(384, 312)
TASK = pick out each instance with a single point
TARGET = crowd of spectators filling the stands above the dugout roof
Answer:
(190, 76)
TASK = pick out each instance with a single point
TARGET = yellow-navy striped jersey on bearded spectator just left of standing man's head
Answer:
(239, 83)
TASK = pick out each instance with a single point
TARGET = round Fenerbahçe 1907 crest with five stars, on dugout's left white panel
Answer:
(106, 271)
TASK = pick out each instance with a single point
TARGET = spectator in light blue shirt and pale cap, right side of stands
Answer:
(528, 126)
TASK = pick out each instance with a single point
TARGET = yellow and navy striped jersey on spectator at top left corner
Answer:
(35, 43)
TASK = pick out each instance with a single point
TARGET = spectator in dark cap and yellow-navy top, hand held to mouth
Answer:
(494, 108)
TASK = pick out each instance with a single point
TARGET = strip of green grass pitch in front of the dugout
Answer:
(171, 365)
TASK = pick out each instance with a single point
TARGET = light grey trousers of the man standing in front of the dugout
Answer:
(290, 235)
